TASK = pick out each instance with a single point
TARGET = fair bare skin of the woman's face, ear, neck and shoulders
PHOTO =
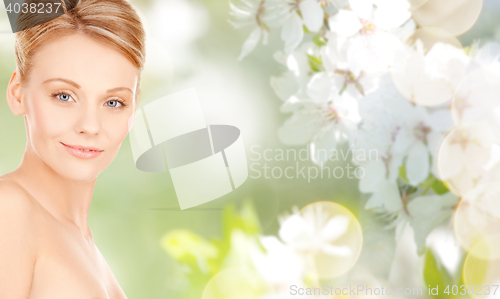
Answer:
(72, 97)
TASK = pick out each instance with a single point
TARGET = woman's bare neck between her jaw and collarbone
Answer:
(68, 201)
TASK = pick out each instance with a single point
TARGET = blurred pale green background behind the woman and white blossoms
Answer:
(191, 44)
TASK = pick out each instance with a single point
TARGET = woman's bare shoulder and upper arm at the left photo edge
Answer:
(18, 249)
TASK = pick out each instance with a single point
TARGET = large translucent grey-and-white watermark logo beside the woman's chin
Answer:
(204, 161)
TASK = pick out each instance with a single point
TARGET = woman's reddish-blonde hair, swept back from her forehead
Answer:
(113, 22)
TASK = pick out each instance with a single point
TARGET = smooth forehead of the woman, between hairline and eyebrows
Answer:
(90, 63)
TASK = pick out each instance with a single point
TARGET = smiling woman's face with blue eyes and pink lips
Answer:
(78, 101)
